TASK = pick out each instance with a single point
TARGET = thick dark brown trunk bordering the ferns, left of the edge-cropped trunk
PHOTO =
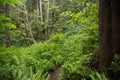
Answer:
(105, 37)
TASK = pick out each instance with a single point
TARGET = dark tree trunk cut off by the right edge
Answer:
(116, 26)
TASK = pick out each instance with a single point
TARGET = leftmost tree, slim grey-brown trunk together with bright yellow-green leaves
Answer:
(5, 21)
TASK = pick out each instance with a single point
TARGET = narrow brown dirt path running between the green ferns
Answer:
(55, 74)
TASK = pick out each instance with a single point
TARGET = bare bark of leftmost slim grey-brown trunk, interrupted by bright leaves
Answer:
(8, 37)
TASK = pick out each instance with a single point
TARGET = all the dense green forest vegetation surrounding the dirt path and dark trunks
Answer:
(68, 38)
